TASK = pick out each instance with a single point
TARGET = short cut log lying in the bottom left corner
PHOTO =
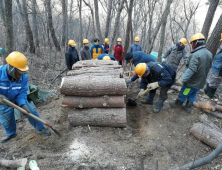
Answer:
(13, 163)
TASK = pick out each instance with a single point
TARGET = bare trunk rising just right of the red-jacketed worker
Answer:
(129, 26)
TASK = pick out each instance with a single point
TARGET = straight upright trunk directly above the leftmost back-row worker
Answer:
(64, 22)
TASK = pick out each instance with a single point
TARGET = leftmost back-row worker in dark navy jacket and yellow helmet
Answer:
(71, 54)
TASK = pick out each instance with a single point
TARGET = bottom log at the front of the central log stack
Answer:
(112, 117)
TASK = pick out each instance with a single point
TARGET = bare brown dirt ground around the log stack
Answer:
(148, 136)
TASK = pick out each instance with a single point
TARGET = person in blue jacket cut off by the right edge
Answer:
(215, 76)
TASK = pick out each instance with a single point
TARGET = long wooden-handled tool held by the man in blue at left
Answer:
(31, 115)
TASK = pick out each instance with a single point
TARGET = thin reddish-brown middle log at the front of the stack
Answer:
(90, 102)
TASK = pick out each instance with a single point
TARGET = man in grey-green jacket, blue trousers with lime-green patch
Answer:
(195, 75)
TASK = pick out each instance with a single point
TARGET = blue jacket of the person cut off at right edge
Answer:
(217, 64)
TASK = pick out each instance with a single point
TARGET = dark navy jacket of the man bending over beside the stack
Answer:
(161, 72)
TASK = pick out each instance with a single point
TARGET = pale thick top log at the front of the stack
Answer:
(92, 86)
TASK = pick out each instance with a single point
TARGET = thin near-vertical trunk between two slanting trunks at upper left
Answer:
(35, 29)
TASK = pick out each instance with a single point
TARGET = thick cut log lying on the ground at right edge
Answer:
(207, 134)
